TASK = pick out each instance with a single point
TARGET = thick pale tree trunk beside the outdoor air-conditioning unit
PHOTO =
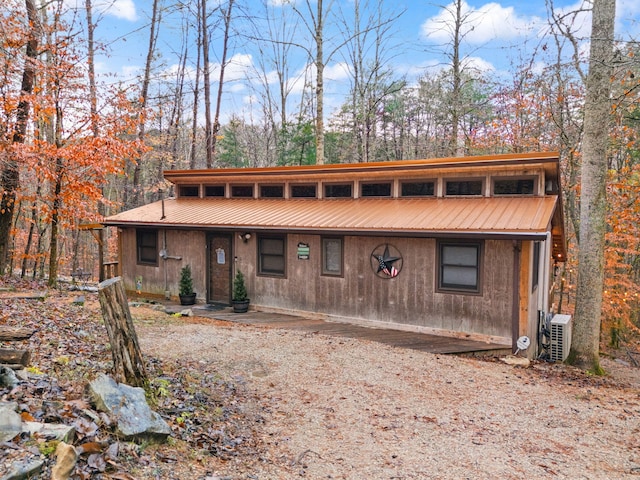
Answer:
(586, 330)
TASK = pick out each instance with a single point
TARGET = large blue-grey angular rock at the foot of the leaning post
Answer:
(128, 406)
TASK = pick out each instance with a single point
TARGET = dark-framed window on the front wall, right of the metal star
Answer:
(459, 266)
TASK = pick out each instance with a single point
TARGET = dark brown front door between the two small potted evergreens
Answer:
(219, 274)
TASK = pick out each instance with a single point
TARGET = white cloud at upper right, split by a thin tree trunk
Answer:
(491, 21)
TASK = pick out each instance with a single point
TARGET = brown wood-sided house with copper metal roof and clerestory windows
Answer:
(455, 246)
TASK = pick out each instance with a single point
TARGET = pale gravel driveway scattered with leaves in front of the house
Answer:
(350, 409)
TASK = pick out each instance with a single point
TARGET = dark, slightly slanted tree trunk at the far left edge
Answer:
(10, 176)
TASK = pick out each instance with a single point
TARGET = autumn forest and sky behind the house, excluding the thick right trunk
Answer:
(85, 134)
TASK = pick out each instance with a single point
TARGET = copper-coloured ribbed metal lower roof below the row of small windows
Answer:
(512, 216)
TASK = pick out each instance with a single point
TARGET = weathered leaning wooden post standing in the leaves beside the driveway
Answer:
(128, 364)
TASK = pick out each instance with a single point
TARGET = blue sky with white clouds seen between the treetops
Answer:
(504, 34)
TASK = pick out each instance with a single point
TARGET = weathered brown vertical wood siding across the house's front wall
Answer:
(410, 299)
